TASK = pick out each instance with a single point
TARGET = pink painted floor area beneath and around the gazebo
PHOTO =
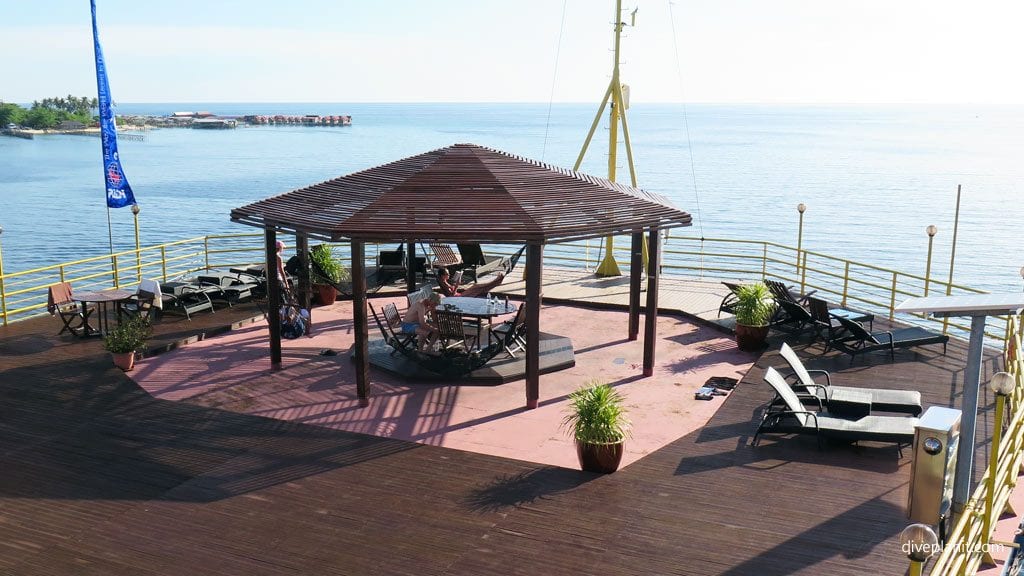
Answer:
(233, 373)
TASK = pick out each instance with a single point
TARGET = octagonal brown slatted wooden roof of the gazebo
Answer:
(464, 192)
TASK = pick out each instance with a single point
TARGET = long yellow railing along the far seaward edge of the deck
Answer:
(839, 280)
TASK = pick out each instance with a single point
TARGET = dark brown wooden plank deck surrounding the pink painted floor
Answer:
(101, 478)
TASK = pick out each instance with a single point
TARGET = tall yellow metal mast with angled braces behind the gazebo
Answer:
(617, 94)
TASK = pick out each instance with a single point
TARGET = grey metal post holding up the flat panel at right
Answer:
(972, 383)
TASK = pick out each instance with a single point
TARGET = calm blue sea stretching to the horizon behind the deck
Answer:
(873, 178)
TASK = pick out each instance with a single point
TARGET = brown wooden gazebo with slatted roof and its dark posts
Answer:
(468, 193)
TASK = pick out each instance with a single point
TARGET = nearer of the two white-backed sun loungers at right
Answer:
(796, 420)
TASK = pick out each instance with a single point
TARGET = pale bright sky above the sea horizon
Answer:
(773, 52)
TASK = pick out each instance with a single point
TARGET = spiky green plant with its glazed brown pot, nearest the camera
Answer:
(599, 424)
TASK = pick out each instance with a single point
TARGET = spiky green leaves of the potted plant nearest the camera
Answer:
(596, 415)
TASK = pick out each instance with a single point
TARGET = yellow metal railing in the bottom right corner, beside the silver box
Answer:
(971, 540)
